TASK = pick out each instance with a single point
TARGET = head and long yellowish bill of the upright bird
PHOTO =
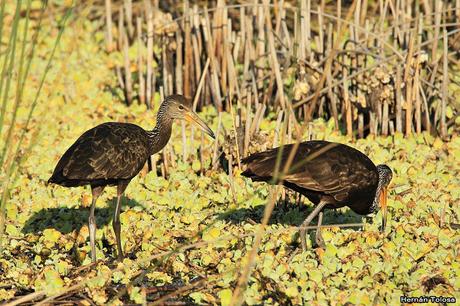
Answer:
(179, 107)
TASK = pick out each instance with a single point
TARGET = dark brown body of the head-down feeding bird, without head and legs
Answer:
(320, 169)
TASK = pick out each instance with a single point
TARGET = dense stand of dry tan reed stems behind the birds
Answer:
(382, 71)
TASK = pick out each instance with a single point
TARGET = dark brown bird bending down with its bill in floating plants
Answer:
(331, 175)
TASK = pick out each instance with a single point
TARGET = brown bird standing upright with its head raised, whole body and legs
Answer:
(112, 153)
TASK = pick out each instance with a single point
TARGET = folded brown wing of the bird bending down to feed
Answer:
(322, 166)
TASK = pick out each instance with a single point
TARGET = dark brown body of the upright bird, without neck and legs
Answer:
(103, 155)
